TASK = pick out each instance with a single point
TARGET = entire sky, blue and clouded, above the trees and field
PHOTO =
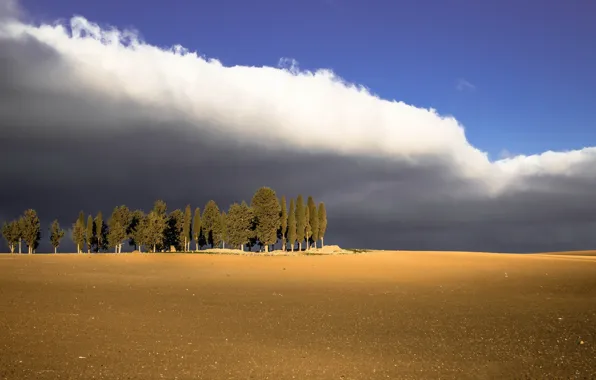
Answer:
(422, 125)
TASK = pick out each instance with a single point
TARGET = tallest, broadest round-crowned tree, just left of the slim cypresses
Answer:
(267, 212)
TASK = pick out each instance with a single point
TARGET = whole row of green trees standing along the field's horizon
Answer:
(265, 222)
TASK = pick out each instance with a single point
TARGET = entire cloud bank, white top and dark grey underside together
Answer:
(91, 118)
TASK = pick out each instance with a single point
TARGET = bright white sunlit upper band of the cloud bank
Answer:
(307, 110)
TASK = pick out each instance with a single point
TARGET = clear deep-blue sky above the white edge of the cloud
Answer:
(531, 63)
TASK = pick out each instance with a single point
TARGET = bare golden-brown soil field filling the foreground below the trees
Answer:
(381, 315)
